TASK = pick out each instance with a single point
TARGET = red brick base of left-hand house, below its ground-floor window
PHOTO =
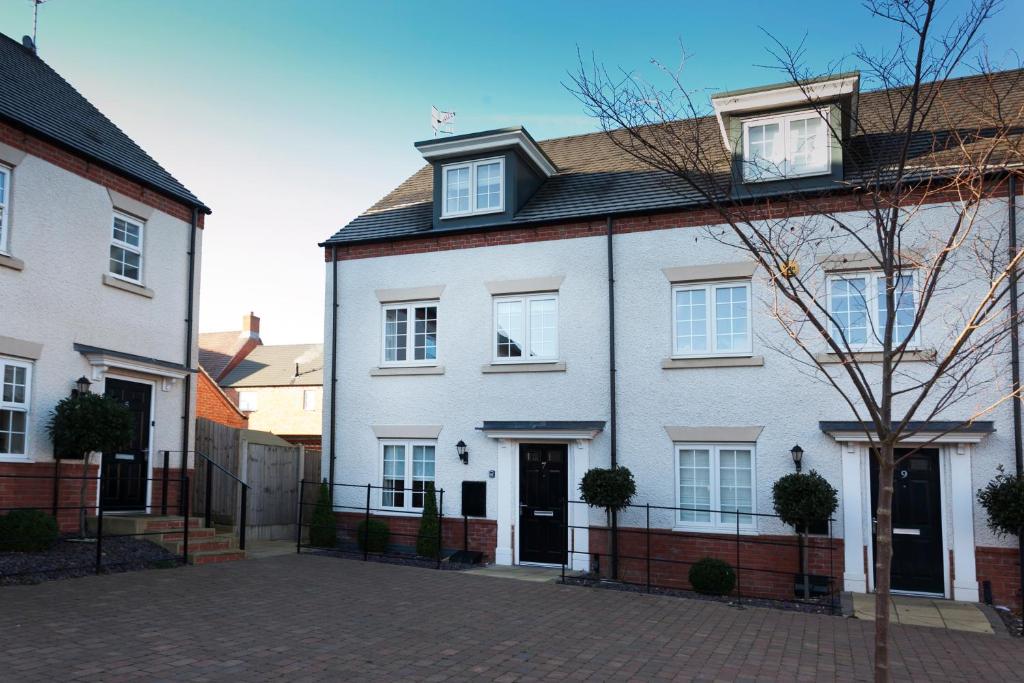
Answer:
(38, 493)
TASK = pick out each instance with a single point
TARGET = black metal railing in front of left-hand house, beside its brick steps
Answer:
(83, 524)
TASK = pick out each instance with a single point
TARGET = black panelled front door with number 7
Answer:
(543, 496)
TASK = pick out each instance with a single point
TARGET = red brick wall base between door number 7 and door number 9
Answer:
(767, 564)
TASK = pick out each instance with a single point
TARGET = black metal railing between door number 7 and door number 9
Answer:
(659, 556)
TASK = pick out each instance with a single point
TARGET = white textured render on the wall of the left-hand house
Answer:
(61, 229)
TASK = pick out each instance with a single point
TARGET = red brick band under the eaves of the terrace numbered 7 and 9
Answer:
(765, 209)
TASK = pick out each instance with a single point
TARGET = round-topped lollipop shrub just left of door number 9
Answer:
(802, 501)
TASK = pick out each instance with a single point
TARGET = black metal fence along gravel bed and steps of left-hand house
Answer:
(91, 539)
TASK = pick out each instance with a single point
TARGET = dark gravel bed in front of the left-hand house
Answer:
(69, 559)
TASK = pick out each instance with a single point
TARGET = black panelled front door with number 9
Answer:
(917, 565)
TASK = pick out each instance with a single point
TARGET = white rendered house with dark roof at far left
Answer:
(100, 261)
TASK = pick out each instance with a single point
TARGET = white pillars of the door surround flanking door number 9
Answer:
(958, 510)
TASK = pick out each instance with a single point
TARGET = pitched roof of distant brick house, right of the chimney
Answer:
(276, 366)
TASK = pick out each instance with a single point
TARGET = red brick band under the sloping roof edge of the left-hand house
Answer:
(95, 173)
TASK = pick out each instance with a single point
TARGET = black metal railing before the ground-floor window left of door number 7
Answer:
(350, 517)
